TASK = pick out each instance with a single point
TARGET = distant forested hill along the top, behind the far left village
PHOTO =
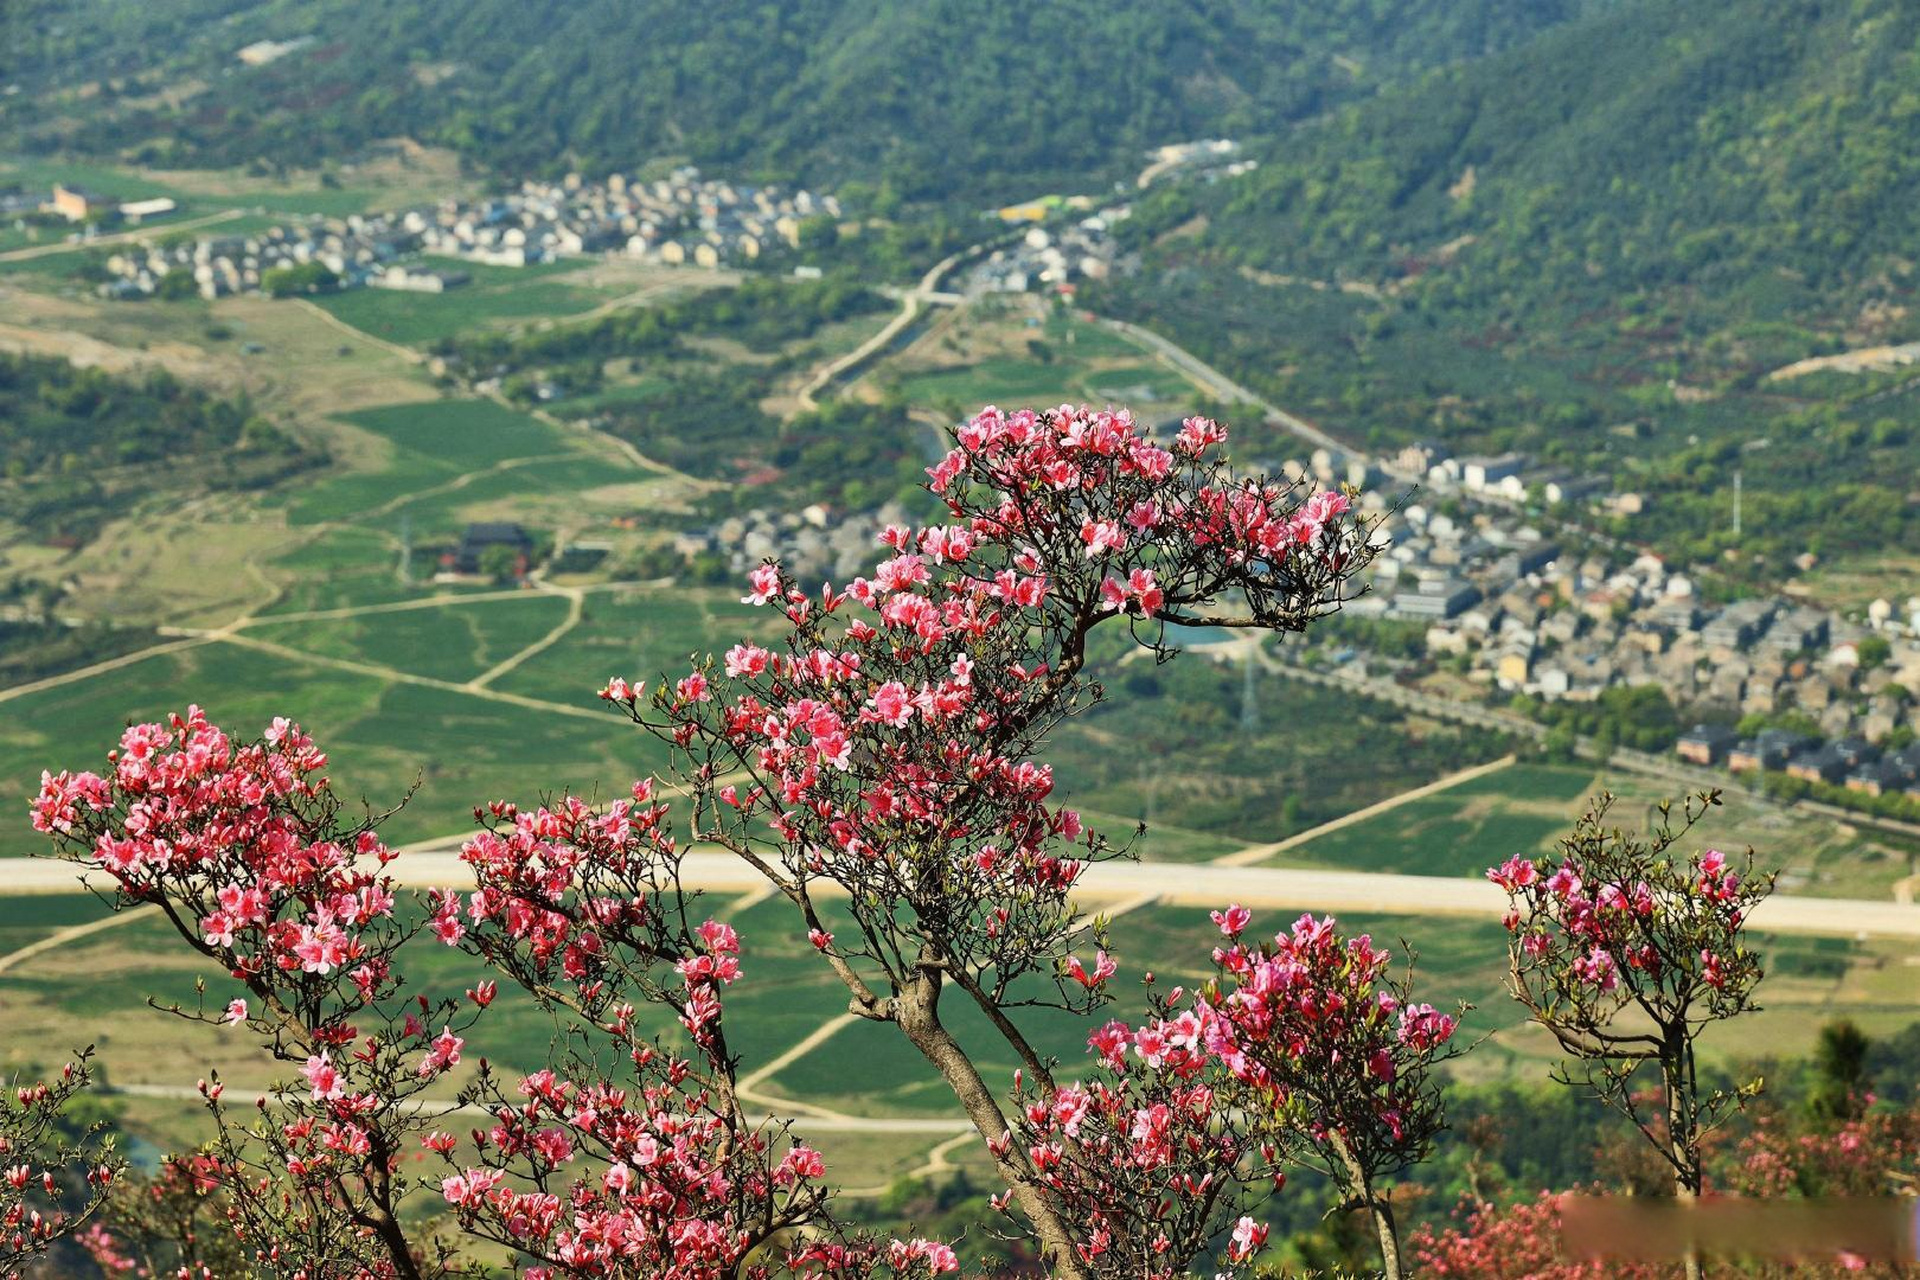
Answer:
(934, 97)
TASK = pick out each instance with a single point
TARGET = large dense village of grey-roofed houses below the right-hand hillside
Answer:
(1527, 619)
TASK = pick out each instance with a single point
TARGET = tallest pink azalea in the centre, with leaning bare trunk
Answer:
(888, 746)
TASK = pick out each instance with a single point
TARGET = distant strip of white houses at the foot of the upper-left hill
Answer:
(683, 220)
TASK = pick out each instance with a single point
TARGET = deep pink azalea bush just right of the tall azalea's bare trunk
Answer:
(1303, 1043)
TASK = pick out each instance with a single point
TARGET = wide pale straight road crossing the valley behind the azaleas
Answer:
(1197, 886)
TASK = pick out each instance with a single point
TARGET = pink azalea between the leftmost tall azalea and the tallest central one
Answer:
(636, 1160)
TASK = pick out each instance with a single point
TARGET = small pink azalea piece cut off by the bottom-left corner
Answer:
(49, 1185)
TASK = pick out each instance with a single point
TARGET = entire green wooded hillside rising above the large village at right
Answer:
(1596, 249)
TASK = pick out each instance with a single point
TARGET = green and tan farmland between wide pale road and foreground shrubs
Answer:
(97, 989)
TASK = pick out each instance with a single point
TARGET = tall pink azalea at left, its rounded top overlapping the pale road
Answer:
(245, 851)
